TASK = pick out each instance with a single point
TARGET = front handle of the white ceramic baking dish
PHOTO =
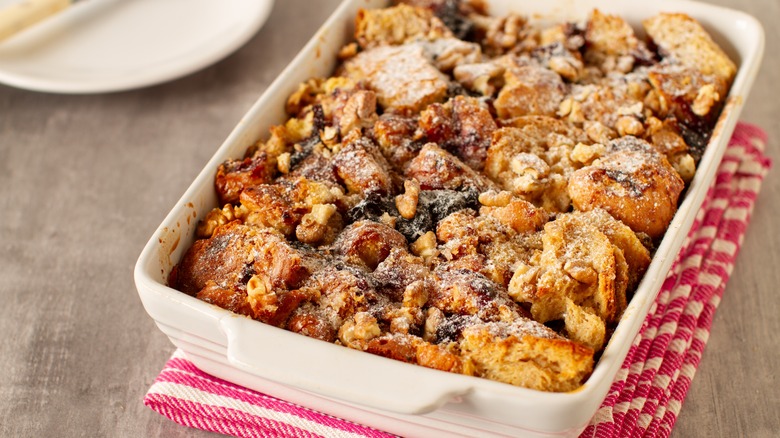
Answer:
(337, 372)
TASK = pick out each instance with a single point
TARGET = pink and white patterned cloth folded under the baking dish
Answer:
(648, 391)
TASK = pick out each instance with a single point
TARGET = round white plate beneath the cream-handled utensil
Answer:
(112, 45)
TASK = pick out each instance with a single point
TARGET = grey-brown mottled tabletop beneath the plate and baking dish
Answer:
(85, 180)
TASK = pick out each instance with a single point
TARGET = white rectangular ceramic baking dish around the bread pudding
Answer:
(397, 397)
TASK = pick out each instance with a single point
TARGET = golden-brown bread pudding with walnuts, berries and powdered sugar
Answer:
(473, 194)
